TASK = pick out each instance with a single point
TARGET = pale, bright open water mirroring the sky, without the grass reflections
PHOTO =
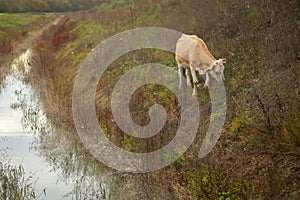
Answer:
(17, 138)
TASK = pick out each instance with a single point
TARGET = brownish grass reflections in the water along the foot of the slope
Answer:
(79, 170)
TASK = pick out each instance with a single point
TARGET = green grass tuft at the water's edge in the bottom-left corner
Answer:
(14, 185)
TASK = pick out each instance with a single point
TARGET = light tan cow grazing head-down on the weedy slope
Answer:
(193, 55)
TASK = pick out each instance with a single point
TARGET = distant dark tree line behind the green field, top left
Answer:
(54, 5)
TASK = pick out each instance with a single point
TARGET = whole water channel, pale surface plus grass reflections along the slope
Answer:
(45, 153)
